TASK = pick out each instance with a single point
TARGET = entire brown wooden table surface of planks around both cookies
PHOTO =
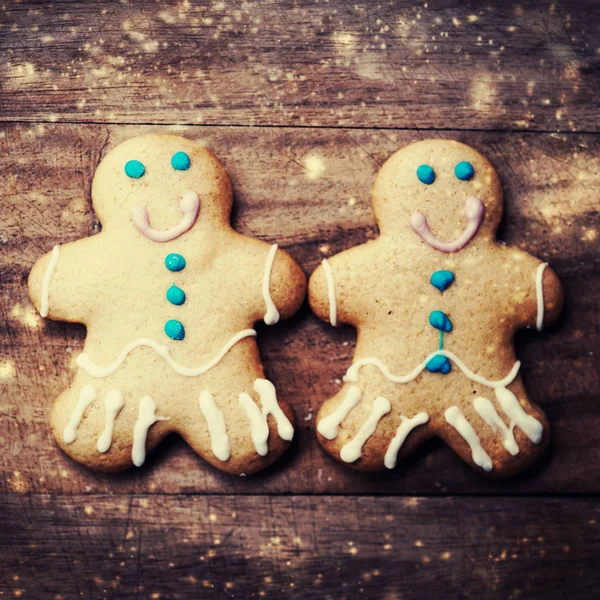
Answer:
(303, 102)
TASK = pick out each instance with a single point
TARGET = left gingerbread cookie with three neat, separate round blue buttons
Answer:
(169, 293)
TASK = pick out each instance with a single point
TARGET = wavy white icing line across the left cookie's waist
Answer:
(95, 370)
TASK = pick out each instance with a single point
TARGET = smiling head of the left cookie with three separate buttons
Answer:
(160, 187)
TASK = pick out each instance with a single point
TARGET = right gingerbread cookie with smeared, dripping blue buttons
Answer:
(436, 301)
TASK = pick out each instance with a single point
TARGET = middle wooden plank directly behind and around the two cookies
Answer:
(552, 211)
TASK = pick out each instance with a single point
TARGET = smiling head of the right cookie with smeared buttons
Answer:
(439, 191)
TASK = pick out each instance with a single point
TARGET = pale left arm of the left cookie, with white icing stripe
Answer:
(57, 281)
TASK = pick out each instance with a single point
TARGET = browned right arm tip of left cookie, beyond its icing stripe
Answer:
(286, 285)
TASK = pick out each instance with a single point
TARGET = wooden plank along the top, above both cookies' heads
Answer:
(395, 64)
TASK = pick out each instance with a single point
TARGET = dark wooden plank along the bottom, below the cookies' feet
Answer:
(298, 547)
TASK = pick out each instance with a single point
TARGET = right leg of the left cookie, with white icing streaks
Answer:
(242, 432)
